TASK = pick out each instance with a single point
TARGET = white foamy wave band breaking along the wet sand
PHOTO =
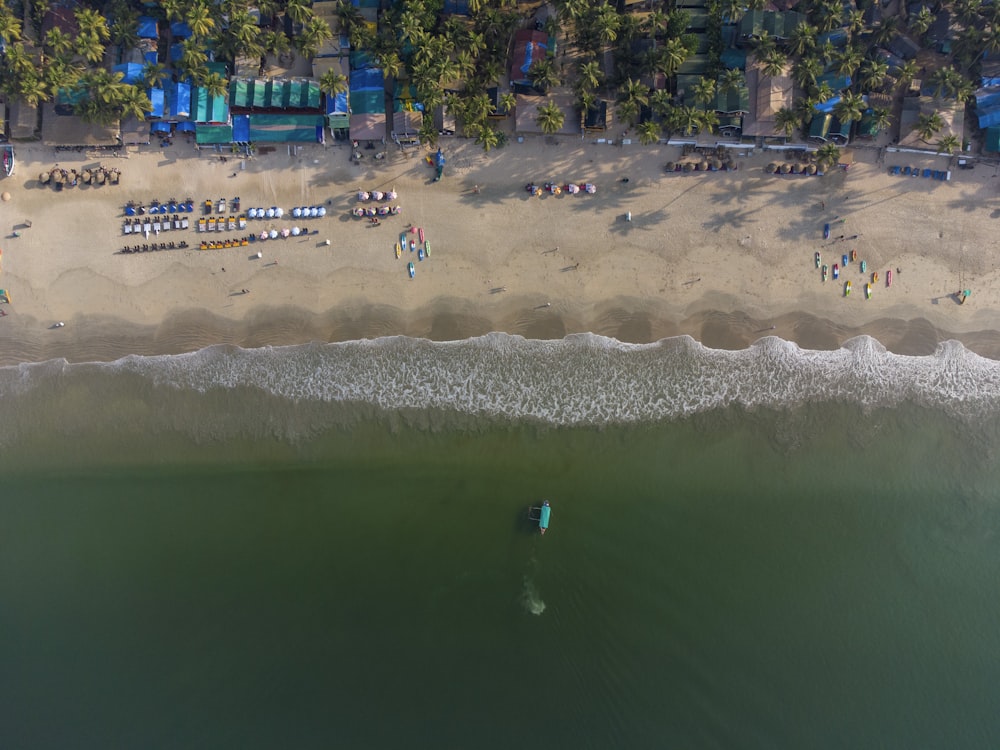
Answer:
(580, 380)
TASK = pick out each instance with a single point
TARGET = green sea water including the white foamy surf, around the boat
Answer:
(327, 546)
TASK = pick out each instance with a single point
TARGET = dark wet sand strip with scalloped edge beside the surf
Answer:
(104, 339)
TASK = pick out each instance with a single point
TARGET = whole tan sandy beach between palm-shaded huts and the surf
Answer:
(726, 257)
